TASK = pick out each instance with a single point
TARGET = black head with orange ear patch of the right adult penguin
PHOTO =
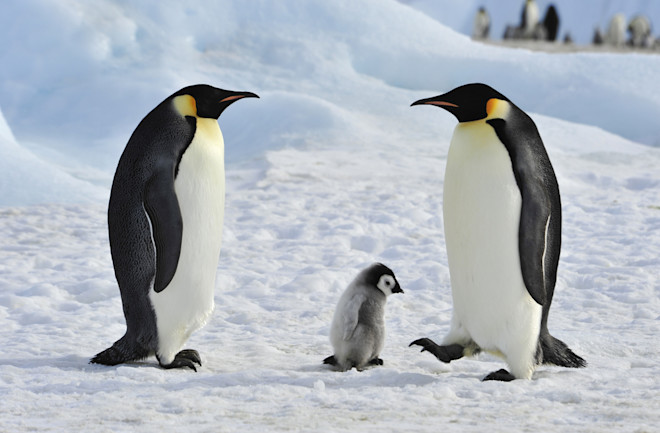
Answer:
(468, 103)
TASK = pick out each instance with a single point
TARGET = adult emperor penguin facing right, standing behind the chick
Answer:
(165, 224)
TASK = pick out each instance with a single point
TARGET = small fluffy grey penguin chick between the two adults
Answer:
(358, 326)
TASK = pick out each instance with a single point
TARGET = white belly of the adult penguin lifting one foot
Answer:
(481, 209)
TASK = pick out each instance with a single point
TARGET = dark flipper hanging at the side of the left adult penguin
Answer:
(163, 211)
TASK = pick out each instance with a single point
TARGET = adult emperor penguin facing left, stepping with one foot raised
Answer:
(502, 219)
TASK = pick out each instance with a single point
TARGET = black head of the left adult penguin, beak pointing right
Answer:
(208, 101)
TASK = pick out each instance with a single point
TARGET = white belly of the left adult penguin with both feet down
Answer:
(186, 303)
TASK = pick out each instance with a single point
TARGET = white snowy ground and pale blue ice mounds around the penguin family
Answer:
(329, 171)
